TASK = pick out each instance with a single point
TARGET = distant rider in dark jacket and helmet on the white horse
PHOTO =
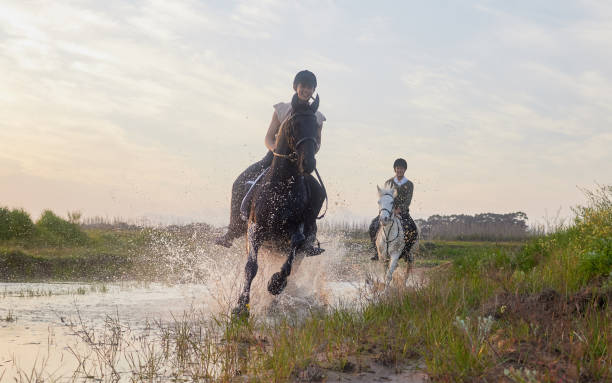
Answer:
(401, 206)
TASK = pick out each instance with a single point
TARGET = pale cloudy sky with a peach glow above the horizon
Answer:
(148, 110)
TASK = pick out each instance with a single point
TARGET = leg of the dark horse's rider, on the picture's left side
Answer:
(237, 226)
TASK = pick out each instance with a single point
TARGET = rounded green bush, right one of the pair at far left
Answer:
(57, 231)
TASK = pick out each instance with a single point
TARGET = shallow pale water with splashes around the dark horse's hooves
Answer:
(39, 322)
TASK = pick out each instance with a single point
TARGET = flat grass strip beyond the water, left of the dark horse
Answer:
(106, 254)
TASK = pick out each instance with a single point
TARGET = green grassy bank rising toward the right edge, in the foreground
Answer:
(532, 312)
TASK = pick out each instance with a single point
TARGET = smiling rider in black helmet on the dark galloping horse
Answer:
(304, 85)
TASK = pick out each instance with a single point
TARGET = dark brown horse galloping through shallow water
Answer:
(287, 200)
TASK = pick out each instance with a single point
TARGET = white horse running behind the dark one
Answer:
(390, 237)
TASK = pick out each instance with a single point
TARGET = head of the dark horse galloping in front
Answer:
(301, 131)
